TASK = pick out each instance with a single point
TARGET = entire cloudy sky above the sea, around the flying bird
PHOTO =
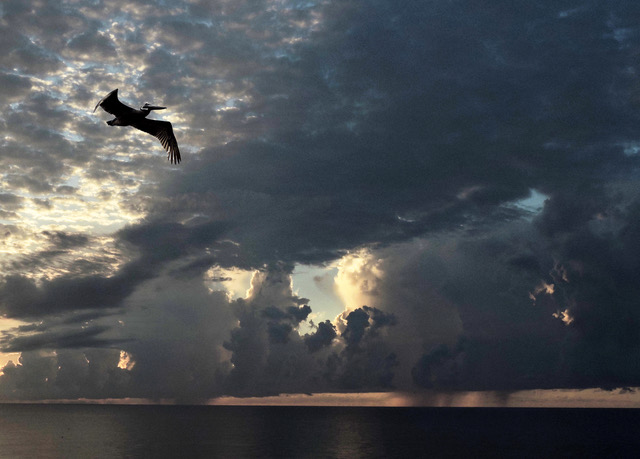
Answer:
(375, 197)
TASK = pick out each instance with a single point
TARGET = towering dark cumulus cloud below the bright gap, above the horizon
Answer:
(268, 357)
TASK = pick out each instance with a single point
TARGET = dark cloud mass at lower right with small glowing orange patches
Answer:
(580, 328)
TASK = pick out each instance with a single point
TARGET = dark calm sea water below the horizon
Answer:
(89, 431)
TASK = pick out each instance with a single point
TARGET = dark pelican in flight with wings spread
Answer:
(128, 116)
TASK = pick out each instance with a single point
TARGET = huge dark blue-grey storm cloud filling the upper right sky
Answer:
(453, 114)
